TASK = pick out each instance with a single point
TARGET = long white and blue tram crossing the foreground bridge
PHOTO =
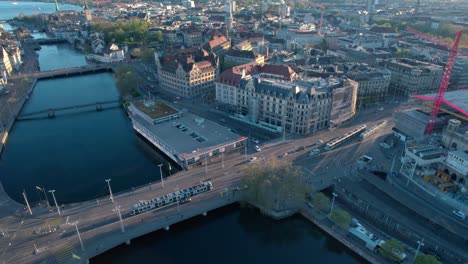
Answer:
(180, 196)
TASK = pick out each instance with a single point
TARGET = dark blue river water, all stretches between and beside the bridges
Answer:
(75, 153)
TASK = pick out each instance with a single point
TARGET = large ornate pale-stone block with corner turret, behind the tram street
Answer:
(272, 97)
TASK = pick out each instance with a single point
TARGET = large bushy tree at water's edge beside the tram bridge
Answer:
(275, 184)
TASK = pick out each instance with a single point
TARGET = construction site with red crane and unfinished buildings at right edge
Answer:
(434, 131)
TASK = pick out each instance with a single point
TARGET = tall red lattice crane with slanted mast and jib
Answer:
(445, 78)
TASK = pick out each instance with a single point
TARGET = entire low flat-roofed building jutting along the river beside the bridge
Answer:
(185, 138)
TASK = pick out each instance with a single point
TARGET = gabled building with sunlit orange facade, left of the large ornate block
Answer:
(186, 75)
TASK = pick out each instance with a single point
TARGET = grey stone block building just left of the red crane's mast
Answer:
(411, 77)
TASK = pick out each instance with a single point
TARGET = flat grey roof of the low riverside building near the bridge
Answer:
(189, 134)
